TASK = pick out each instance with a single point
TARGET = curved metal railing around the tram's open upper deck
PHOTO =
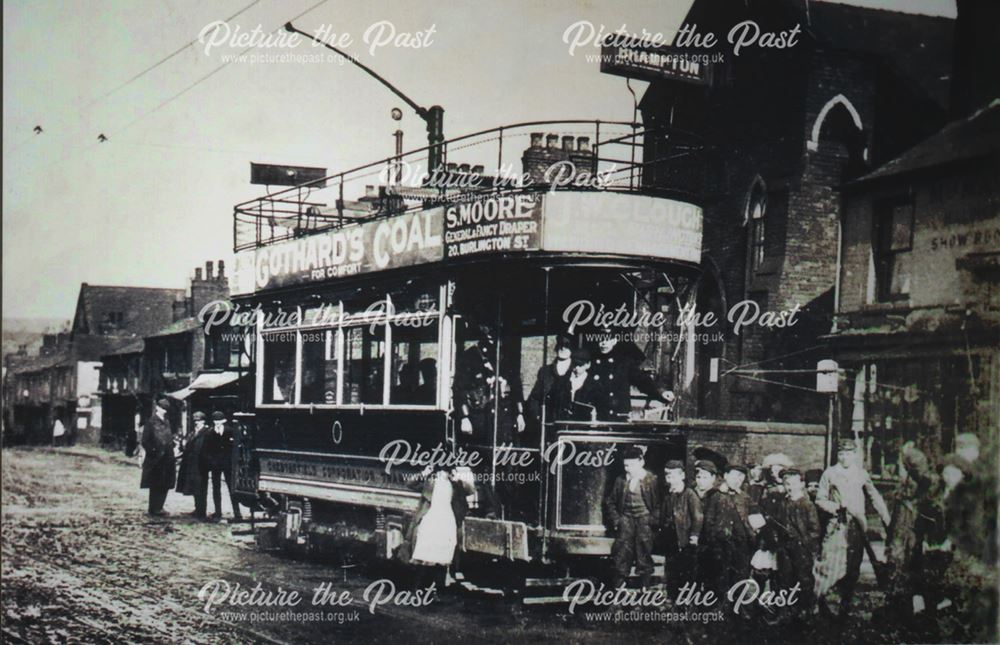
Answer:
(535, 155)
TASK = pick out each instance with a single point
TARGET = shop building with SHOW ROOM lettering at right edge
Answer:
(918, 326)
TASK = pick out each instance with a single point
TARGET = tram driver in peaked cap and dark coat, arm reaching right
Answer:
(615, 371)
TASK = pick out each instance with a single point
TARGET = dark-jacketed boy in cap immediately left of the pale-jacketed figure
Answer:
(800, 546)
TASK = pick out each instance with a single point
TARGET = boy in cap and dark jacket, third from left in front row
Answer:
(727, 532)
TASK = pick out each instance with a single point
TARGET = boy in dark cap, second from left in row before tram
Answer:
(680, 525)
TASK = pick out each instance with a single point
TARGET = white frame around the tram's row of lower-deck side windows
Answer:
(336, 333)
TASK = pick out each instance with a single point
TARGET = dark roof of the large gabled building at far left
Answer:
(143, 309)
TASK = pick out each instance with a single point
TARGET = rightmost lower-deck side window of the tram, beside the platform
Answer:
(414, 363)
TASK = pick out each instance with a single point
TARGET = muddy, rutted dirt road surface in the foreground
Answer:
(83, 563)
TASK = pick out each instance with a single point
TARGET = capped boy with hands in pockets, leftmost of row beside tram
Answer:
(630, 507)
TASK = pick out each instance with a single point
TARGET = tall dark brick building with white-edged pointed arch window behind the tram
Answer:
(779, 131)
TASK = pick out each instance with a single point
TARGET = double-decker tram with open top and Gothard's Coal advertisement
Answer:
(470, 327)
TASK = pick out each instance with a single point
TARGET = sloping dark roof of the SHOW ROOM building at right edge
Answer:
(969, 138)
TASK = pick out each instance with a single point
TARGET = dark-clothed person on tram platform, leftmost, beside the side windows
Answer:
(481, 390)
